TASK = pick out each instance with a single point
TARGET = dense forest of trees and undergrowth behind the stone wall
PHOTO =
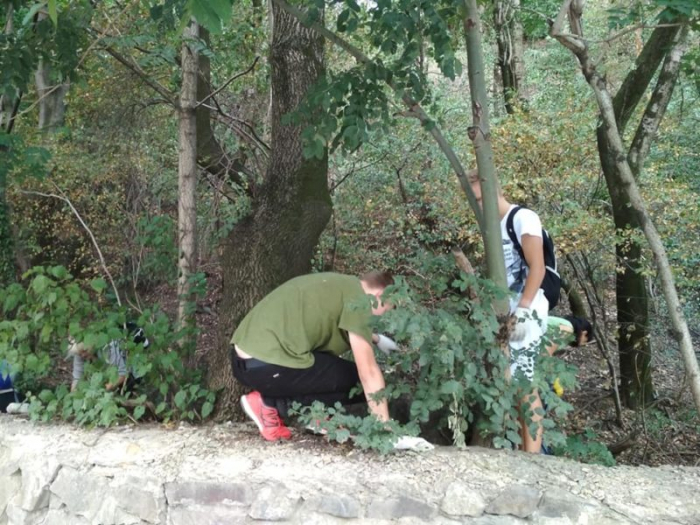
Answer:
(168, 163)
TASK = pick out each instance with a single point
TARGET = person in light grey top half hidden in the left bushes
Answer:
(112, 354)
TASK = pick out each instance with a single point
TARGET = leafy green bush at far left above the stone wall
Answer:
(47, 308)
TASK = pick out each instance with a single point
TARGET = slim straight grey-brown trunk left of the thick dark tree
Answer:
(187, 179)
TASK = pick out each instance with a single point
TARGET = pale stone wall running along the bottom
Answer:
(57, 475)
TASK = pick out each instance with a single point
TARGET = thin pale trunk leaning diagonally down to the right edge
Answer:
(627, 184)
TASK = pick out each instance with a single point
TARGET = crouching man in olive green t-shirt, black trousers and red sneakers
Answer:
(289, 345)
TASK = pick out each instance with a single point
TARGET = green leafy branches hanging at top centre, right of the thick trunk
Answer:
(346, 106)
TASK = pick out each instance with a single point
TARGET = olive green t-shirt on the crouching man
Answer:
(307, 313)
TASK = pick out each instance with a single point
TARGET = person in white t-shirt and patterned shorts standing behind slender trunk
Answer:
(529, 306)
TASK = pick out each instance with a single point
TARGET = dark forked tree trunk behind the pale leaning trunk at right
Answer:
(634, 345)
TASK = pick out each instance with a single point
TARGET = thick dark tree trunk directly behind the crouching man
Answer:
(290, 209)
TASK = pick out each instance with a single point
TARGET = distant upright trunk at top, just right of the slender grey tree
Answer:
(509, 39)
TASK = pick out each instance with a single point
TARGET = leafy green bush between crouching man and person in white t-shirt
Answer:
(451, 365)
